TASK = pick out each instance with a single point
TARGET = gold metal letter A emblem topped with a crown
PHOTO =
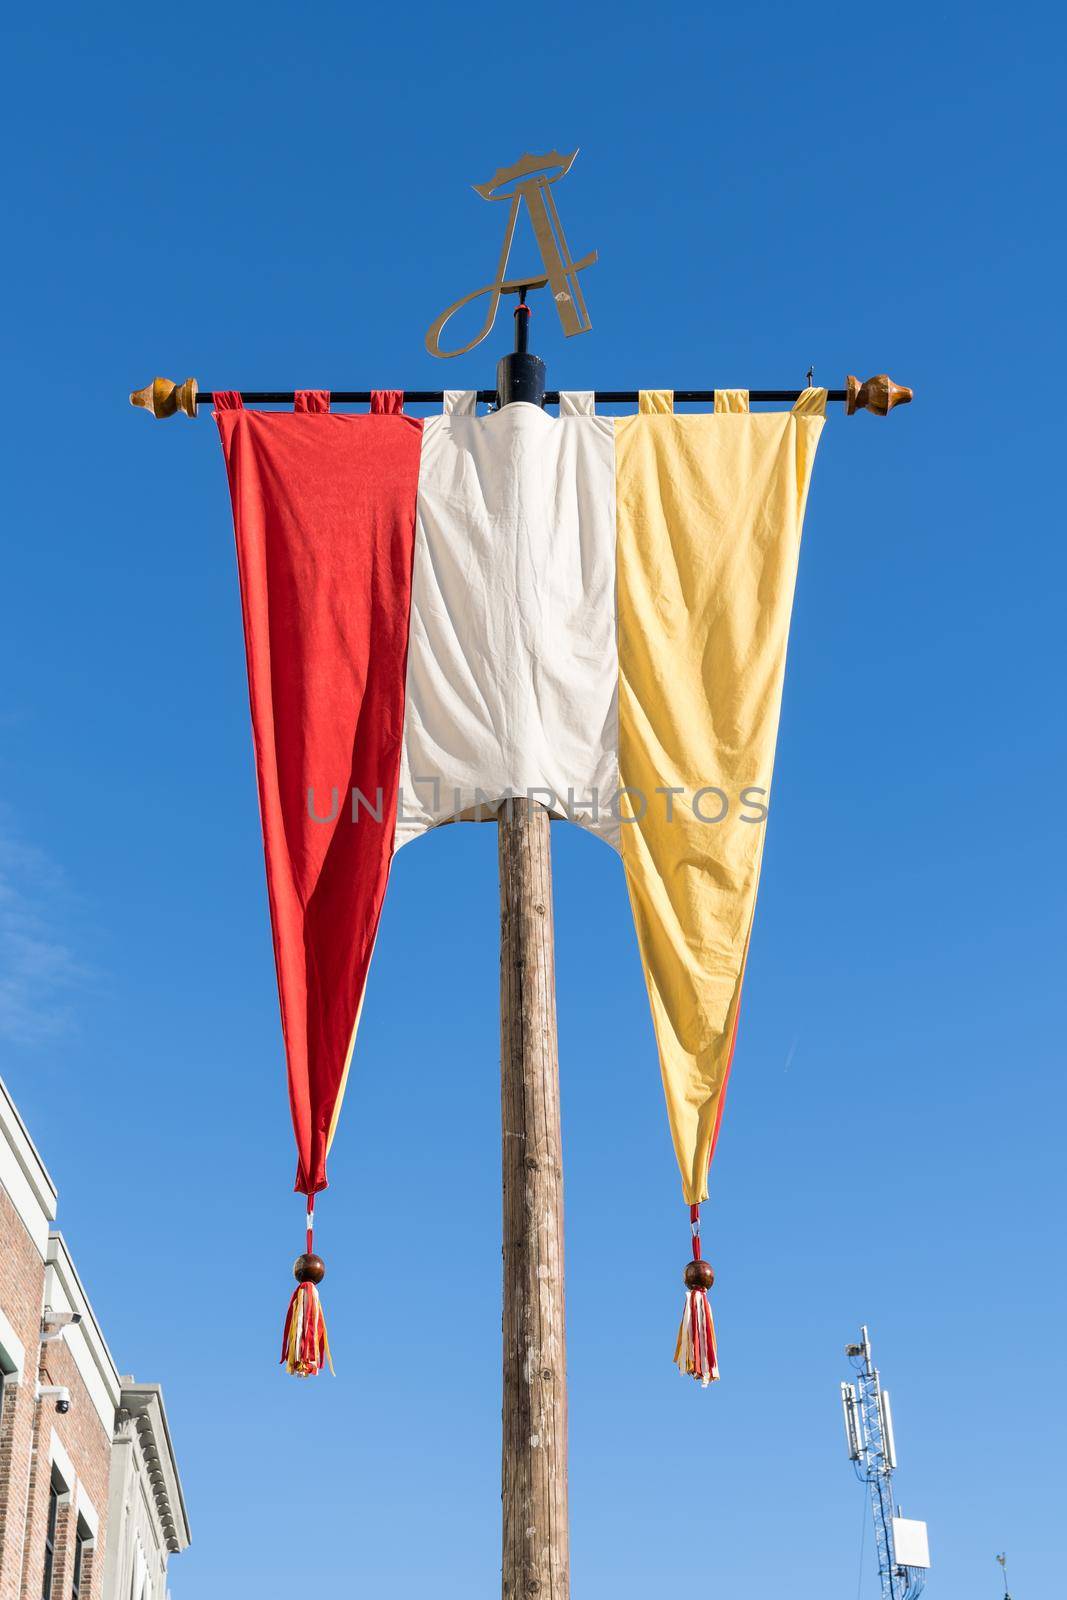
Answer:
(533, 180)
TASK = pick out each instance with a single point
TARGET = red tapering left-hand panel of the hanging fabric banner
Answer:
(326, 542)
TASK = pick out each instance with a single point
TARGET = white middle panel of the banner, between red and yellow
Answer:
(513, 657)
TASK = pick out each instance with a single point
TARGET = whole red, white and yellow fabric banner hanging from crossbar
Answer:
(446, 612)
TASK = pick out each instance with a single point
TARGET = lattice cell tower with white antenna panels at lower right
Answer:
(901, 1545)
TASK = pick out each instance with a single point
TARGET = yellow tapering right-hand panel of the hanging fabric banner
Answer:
(709, 519)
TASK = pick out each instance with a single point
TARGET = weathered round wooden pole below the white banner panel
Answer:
(533, 1470)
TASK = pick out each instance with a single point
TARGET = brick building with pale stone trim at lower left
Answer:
(90, 1498)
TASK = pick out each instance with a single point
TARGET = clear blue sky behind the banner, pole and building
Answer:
(281, 196)
